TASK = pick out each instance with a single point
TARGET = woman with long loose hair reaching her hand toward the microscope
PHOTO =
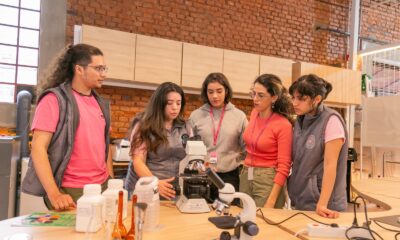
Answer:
(156, 141)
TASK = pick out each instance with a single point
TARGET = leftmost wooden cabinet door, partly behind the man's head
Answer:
(118, 49)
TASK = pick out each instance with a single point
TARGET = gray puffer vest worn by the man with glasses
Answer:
(62, 141)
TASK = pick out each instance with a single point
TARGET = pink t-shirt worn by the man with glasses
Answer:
(87, 163)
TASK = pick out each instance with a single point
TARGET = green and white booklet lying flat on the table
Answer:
(49, 219)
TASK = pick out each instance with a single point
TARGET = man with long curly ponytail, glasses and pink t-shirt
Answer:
(70, 145)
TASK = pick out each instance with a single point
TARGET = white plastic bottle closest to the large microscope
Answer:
(146, 190)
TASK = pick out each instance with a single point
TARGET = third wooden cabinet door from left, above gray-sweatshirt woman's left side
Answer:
(198, 62)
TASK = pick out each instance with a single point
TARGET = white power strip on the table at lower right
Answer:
(320, 230)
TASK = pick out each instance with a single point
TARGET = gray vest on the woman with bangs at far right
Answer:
(308, 149)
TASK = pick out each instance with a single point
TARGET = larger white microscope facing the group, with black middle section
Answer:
(194, 185)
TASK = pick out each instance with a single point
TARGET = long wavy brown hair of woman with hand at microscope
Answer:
(152, 124)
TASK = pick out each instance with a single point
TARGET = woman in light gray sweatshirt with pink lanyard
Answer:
(220, 125)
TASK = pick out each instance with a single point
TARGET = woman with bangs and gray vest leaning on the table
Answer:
(319, 151)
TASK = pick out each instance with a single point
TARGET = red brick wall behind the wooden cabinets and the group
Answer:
(282, 28)
